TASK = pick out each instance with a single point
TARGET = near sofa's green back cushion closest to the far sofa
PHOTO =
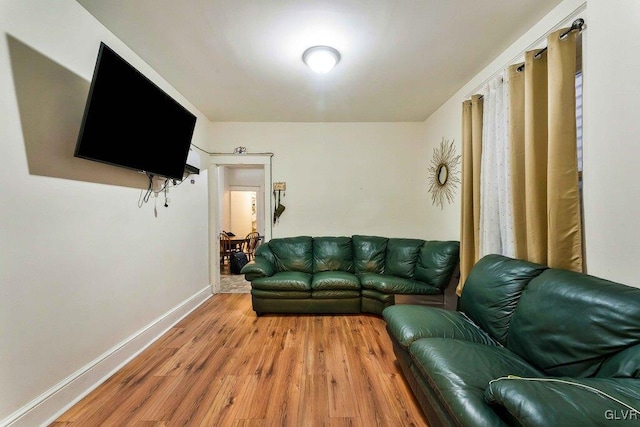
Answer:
(492, 290)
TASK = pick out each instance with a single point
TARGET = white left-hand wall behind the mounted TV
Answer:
(82, 268)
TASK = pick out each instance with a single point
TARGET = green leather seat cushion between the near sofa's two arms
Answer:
(459, 372)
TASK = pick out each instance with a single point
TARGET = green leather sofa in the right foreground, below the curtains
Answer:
(529, 346)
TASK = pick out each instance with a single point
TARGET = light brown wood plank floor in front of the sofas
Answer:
(223, 366)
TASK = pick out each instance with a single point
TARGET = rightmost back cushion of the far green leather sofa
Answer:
(436, 263)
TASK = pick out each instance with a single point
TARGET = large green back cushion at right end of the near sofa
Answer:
(568, 323)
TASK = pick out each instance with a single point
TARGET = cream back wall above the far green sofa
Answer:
(344, 178)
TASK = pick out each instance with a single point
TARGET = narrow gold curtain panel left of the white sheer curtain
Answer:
(471, 161)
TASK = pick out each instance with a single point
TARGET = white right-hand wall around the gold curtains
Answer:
(611, 45)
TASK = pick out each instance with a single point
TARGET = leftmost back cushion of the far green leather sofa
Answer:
(293, 253)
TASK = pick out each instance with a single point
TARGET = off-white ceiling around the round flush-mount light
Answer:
(240, 60)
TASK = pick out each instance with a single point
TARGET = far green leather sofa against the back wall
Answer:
(349, 274)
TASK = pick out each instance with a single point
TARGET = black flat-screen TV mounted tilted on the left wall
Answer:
(130, 122)
